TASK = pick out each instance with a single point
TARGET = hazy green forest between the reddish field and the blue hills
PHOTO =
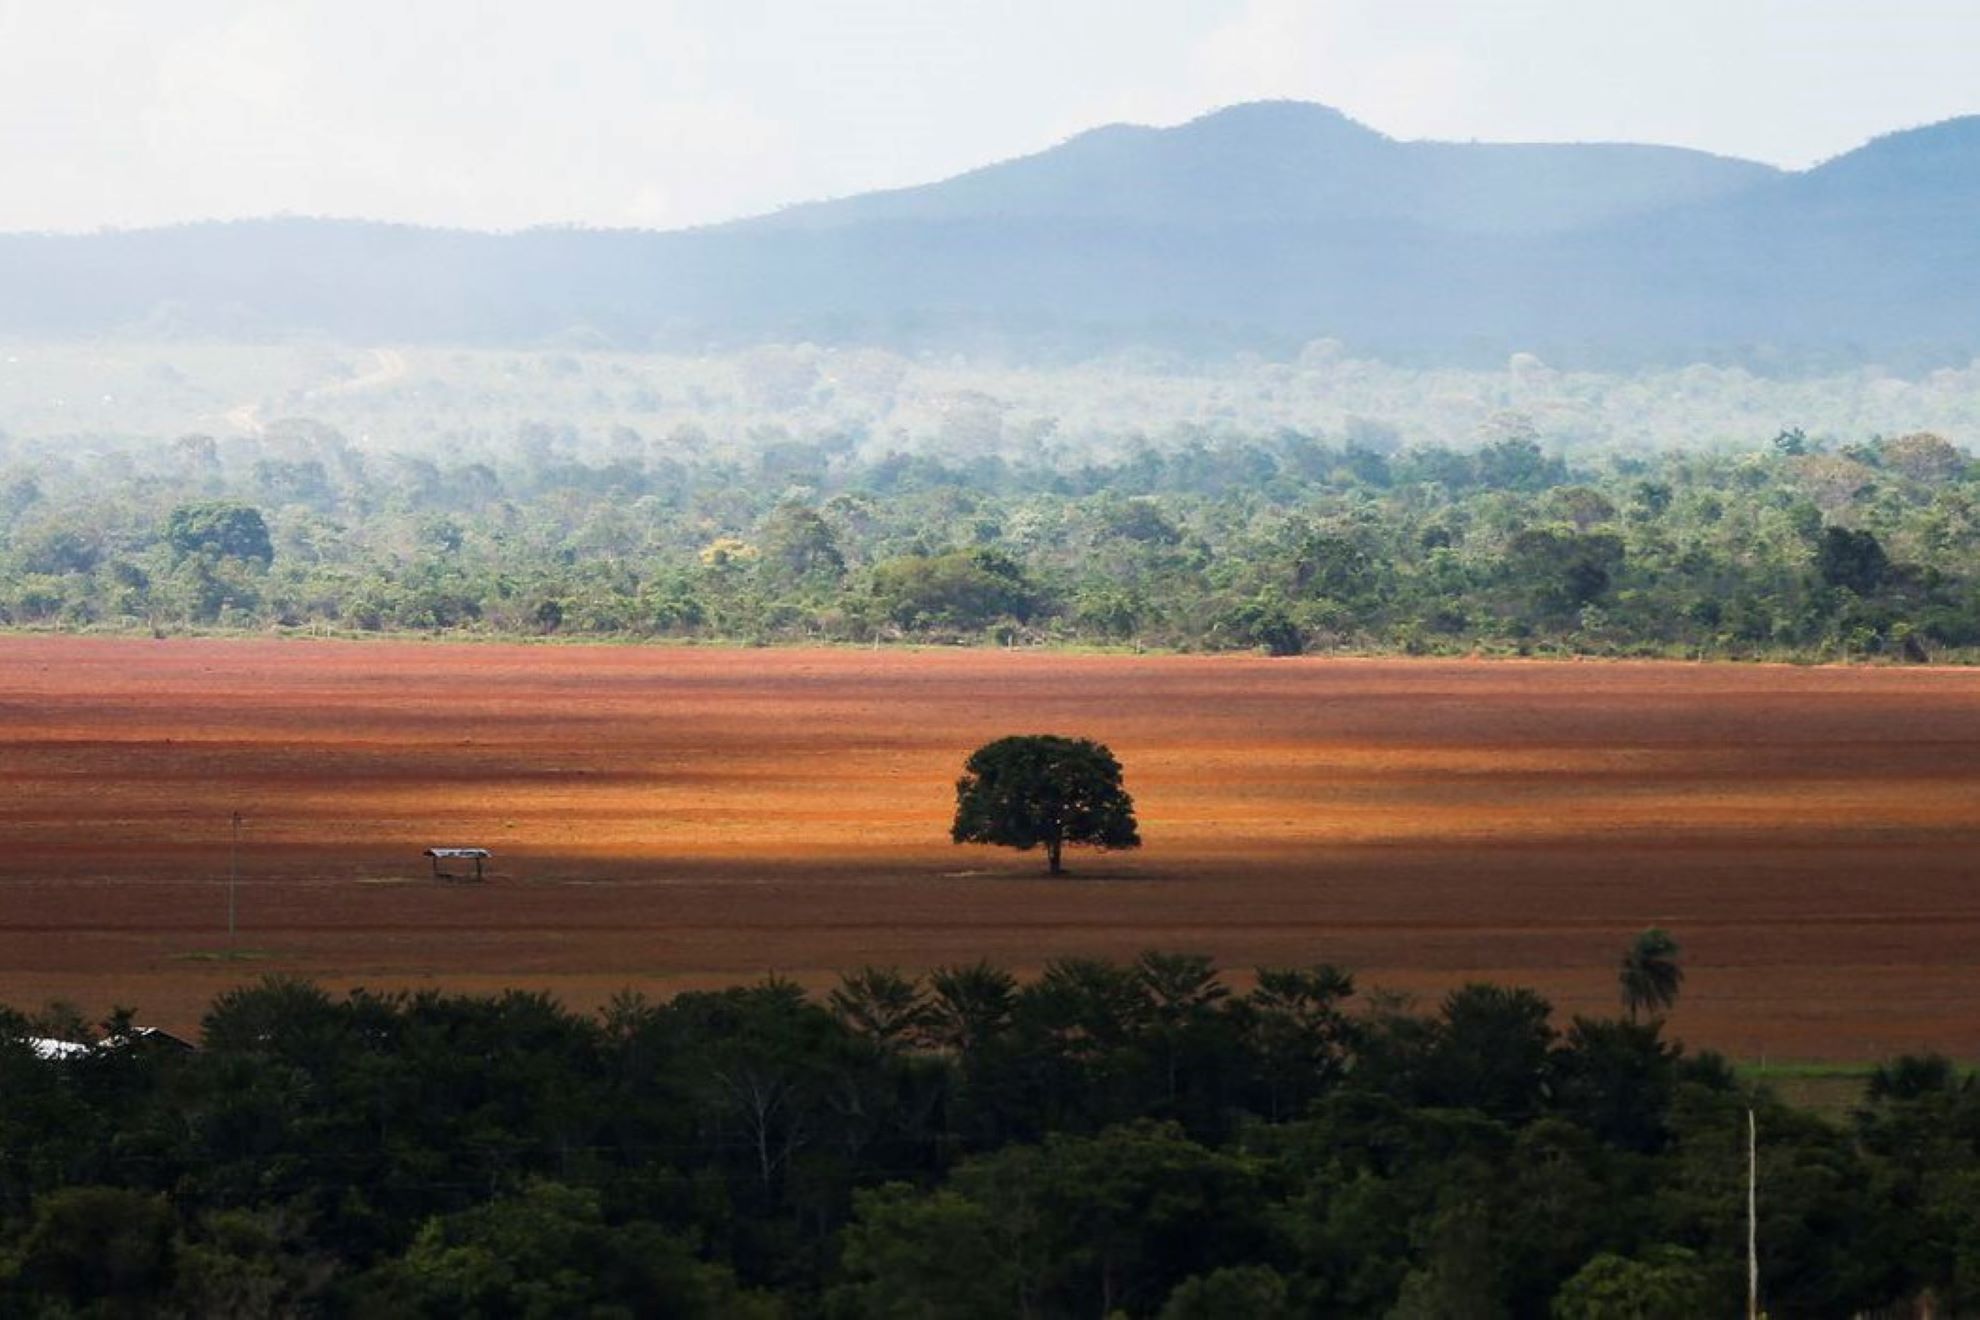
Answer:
(819, 496)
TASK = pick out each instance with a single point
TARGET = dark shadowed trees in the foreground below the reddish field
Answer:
(1136, 1139)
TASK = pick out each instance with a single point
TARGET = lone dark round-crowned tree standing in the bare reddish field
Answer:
(1044, 791)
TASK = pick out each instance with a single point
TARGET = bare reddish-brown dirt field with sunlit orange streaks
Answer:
(694, 816)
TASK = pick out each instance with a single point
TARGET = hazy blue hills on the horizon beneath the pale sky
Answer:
(1258, 227)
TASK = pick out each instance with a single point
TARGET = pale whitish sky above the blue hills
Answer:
(666, 114)
